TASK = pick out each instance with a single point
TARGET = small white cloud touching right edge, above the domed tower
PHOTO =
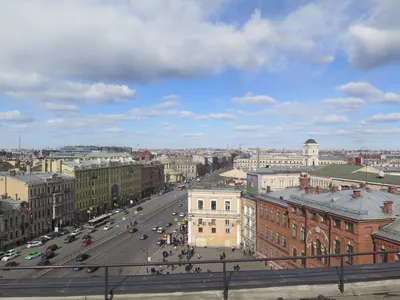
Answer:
(367, 90)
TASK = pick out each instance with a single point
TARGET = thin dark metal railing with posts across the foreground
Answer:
(344, 259)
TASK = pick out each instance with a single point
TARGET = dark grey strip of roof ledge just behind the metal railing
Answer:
(95, 285)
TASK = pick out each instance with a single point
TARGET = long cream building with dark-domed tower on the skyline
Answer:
(309, 157)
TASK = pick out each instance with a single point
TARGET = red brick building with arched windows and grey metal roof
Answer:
(317, 223)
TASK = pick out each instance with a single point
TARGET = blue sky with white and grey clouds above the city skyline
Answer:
(200, 73)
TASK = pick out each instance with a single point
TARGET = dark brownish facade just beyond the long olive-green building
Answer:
(153, 178)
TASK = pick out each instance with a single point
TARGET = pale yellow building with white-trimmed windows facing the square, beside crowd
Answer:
(214, 218)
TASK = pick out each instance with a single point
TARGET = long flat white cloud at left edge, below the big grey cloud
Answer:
(34, 86)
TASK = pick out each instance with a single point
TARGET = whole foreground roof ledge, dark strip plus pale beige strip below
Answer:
(279, 281)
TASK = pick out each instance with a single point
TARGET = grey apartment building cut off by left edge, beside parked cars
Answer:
(14, 222)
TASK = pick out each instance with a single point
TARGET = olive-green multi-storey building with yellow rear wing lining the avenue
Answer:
(100, 185)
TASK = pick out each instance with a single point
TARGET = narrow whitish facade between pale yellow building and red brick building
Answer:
(249, 223)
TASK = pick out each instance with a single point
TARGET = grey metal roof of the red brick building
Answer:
(369, 206)
